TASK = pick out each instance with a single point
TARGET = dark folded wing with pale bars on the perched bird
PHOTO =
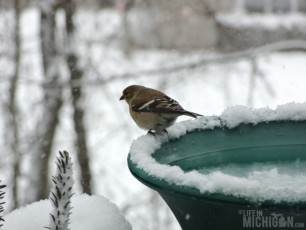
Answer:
(162, 104)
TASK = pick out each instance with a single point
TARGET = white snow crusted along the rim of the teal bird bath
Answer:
(263, 183)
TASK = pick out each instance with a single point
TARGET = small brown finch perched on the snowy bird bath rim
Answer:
(153, 110)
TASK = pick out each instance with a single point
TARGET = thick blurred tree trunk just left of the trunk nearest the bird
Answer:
(52, 103)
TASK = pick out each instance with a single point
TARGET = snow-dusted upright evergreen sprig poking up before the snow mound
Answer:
(61, 193)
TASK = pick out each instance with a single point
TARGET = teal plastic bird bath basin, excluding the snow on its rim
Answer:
(281, 141)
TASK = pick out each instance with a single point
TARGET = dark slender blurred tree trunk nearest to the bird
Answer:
(76, 75)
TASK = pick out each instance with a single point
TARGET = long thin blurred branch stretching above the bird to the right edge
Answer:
(288, 45)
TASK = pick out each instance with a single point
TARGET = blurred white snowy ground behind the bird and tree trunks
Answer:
(203, 81)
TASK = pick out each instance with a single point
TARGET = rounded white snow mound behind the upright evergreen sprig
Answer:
(89, 212)
